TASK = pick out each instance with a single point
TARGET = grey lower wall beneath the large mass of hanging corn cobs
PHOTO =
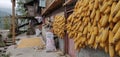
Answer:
(89, 52)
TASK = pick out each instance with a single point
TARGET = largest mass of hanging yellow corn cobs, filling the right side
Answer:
(96, 23)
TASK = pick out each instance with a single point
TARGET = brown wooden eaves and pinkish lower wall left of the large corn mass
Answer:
(64, 8)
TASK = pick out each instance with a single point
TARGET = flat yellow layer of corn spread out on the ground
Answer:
(31, 42)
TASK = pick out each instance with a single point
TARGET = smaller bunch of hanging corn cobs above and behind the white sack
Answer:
(59, 25)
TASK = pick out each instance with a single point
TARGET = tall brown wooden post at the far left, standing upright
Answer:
(13, 21)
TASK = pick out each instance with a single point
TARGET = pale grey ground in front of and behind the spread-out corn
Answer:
(31, 51)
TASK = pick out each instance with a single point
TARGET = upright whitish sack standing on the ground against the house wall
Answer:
(50, 44)
